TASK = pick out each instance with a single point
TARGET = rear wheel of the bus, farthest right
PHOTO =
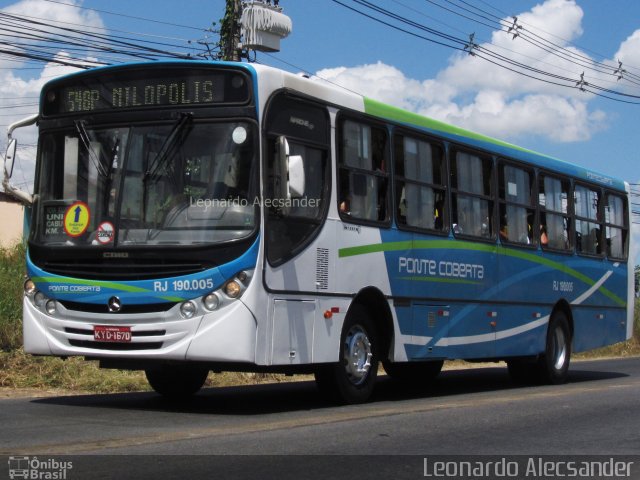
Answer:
(553, 365)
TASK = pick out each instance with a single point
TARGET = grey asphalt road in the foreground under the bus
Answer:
(288, 431)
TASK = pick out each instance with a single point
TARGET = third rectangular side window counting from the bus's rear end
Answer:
(555, 223)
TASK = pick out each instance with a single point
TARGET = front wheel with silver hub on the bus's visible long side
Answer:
(353, 378)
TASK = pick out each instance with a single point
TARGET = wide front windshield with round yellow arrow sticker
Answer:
(180, 183)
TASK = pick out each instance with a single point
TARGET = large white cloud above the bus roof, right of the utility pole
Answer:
(475, 94)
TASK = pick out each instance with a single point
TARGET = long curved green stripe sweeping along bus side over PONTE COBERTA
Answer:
(476, 247)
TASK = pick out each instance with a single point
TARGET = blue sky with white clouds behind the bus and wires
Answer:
(336, 44)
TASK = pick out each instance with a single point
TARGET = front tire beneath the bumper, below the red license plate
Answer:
(177, 382)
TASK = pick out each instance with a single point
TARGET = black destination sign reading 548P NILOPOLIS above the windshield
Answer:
(147, 89)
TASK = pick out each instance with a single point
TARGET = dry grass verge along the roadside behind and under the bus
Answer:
(22, 371)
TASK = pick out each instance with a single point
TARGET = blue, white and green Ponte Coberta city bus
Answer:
(195, 216)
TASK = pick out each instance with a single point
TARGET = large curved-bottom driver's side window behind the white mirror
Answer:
(297, 140)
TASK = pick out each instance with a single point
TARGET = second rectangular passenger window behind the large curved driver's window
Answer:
(420, 192)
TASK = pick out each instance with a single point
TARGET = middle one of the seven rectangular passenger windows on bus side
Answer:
(517, 212)
